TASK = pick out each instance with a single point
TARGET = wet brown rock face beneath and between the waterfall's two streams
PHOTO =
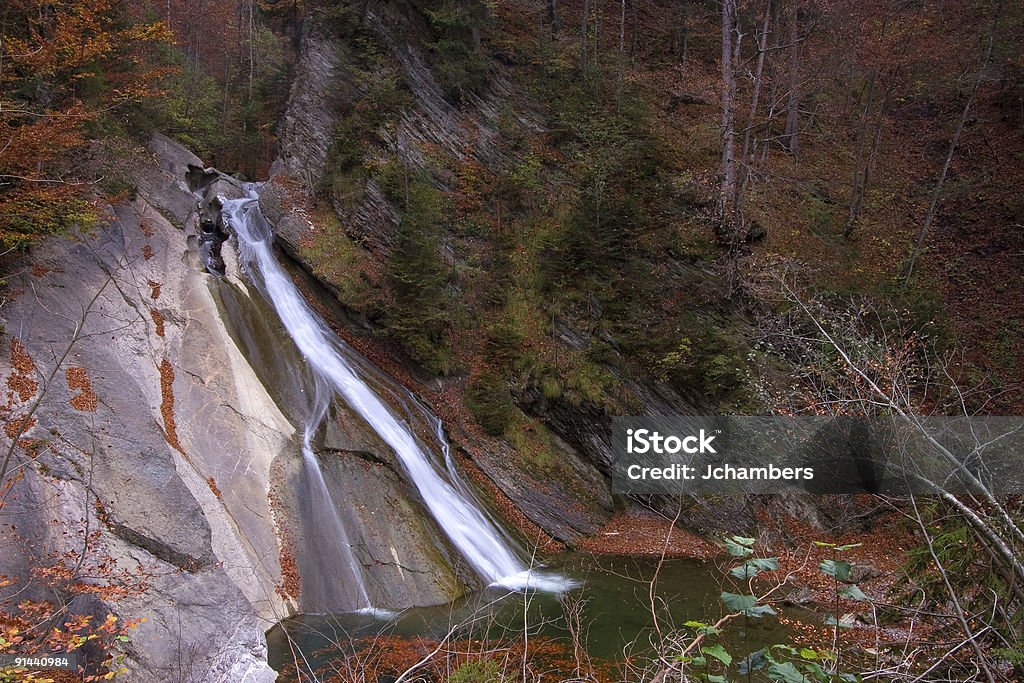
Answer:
(404, 557)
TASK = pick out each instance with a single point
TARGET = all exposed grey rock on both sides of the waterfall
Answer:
(172, 424)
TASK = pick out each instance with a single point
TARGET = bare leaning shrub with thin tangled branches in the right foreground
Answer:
(860, 359)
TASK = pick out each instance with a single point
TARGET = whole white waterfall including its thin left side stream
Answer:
(338, 370)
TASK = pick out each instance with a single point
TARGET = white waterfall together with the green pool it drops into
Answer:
(609, 618)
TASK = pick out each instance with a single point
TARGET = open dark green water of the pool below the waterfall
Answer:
(614, 601)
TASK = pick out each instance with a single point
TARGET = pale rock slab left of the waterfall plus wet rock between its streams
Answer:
(164, 430)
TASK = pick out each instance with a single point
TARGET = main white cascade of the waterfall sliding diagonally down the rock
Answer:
(337, 366)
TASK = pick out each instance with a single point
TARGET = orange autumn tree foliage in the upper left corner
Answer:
(65, 68)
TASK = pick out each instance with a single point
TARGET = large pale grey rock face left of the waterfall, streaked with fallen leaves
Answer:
(164, 436)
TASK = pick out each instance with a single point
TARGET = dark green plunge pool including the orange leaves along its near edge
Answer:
(611, 611)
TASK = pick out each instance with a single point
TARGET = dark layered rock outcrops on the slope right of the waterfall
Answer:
(568, 500)
